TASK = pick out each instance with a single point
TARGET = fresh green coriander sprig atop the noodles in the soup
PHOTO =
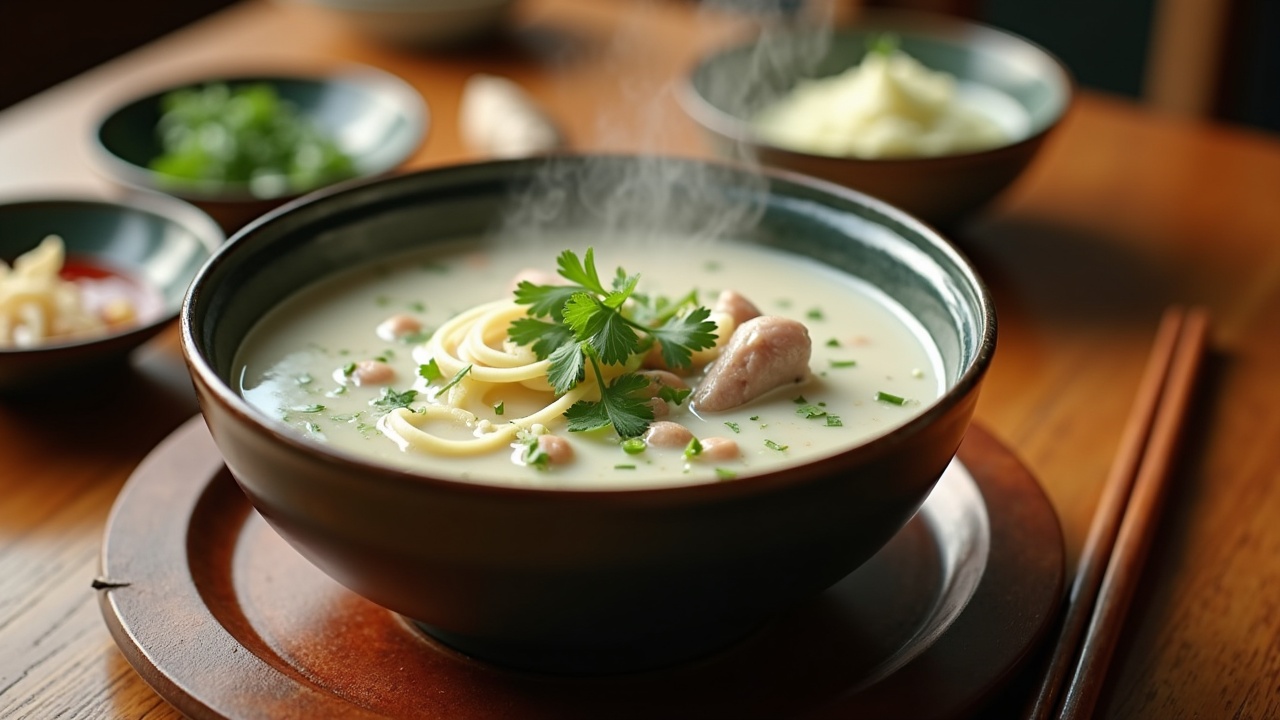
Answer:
(586, 323)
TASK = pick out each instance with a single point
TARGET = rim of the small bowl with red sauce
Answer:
(172, 211)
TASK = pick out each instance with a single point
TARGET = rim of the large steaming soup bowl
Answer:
(222, 394)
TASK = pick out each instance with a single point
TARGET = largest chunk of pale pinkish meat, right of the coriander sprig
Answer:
(765, 354)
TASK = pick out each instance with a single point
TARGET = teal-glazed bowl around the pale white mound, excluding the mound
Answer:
(729, 89)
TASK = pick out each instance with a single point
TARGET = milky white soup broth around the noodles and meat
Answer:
(872, 366)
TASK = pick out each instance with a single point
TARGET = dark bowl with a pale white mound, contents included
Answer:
(934, 115)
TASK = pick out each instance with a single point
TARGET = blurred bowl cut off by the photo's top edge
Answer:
(419, 24)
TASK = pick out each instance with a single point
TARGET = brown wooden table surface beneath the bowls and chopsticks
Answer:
(1123, 213)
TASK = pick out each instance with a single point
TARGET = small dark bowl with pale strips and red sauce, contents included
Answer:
(86, 281)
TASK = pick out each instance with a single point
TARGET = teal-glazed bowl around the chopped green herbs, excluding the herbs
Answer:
(374, 119)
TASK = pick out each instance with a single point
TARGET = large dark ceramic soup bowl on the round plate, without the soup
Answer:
(587, 581)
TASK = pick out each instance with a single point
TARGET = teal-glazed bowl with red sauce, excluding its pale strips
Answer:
(149, 247)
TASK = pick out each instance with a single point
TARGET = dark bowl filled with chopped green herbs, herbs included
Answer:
(239, 147)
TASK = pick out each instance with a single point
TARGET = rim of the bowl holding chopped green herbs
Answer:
(409, 101)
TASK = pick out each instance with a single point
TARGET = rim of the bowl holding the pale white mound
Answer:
(918, 22)
